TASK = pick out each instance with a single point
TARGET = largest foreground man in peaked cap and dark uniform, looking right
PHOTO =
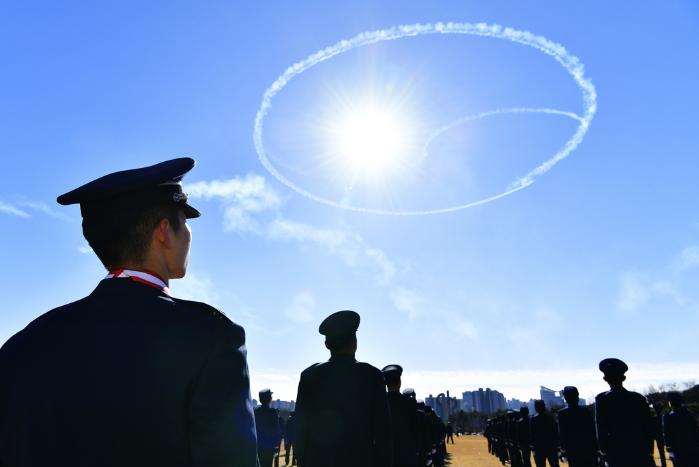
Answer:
(129, 375)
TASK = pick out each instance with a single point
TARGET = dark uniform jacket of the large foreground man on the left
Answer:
(127, 376)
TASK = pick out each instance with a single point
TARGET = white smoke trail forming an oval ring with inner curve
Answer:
(570, 62)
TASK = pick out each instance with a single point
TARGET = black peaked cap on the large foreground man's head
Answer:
(133, 188)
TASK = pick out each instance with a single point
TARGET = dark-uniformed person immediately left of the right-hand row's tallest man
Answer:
(576, 427)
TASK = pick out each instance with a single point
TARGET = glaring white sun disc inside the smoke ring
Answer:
(370, 139)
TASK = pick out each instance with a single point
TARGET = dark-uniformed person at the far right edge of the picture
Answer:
(681, 433)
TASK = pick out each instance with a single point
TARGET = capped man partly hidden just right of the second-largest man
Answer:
(403, 419)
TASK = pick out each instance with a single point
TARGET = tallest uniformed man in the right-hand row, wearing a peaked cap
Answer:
(624, 423)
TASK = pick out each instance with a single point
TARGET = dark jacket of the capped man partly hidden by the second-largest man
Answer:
(405, 430)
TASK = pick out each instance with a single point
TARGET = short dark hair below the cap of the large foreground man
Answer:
(125, 235)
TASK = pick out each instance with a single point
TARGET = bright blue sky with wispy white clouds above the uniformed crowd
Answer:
(598, 258)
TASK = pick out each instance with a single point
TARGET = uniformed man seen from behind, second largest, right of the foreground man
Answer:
(342, 415)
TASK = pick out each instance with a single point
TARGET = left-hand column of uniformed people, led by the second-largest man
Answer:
(349, 413)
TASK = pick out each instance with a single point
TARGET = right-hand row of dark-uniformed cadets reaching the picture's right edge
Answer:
(621, 431)
